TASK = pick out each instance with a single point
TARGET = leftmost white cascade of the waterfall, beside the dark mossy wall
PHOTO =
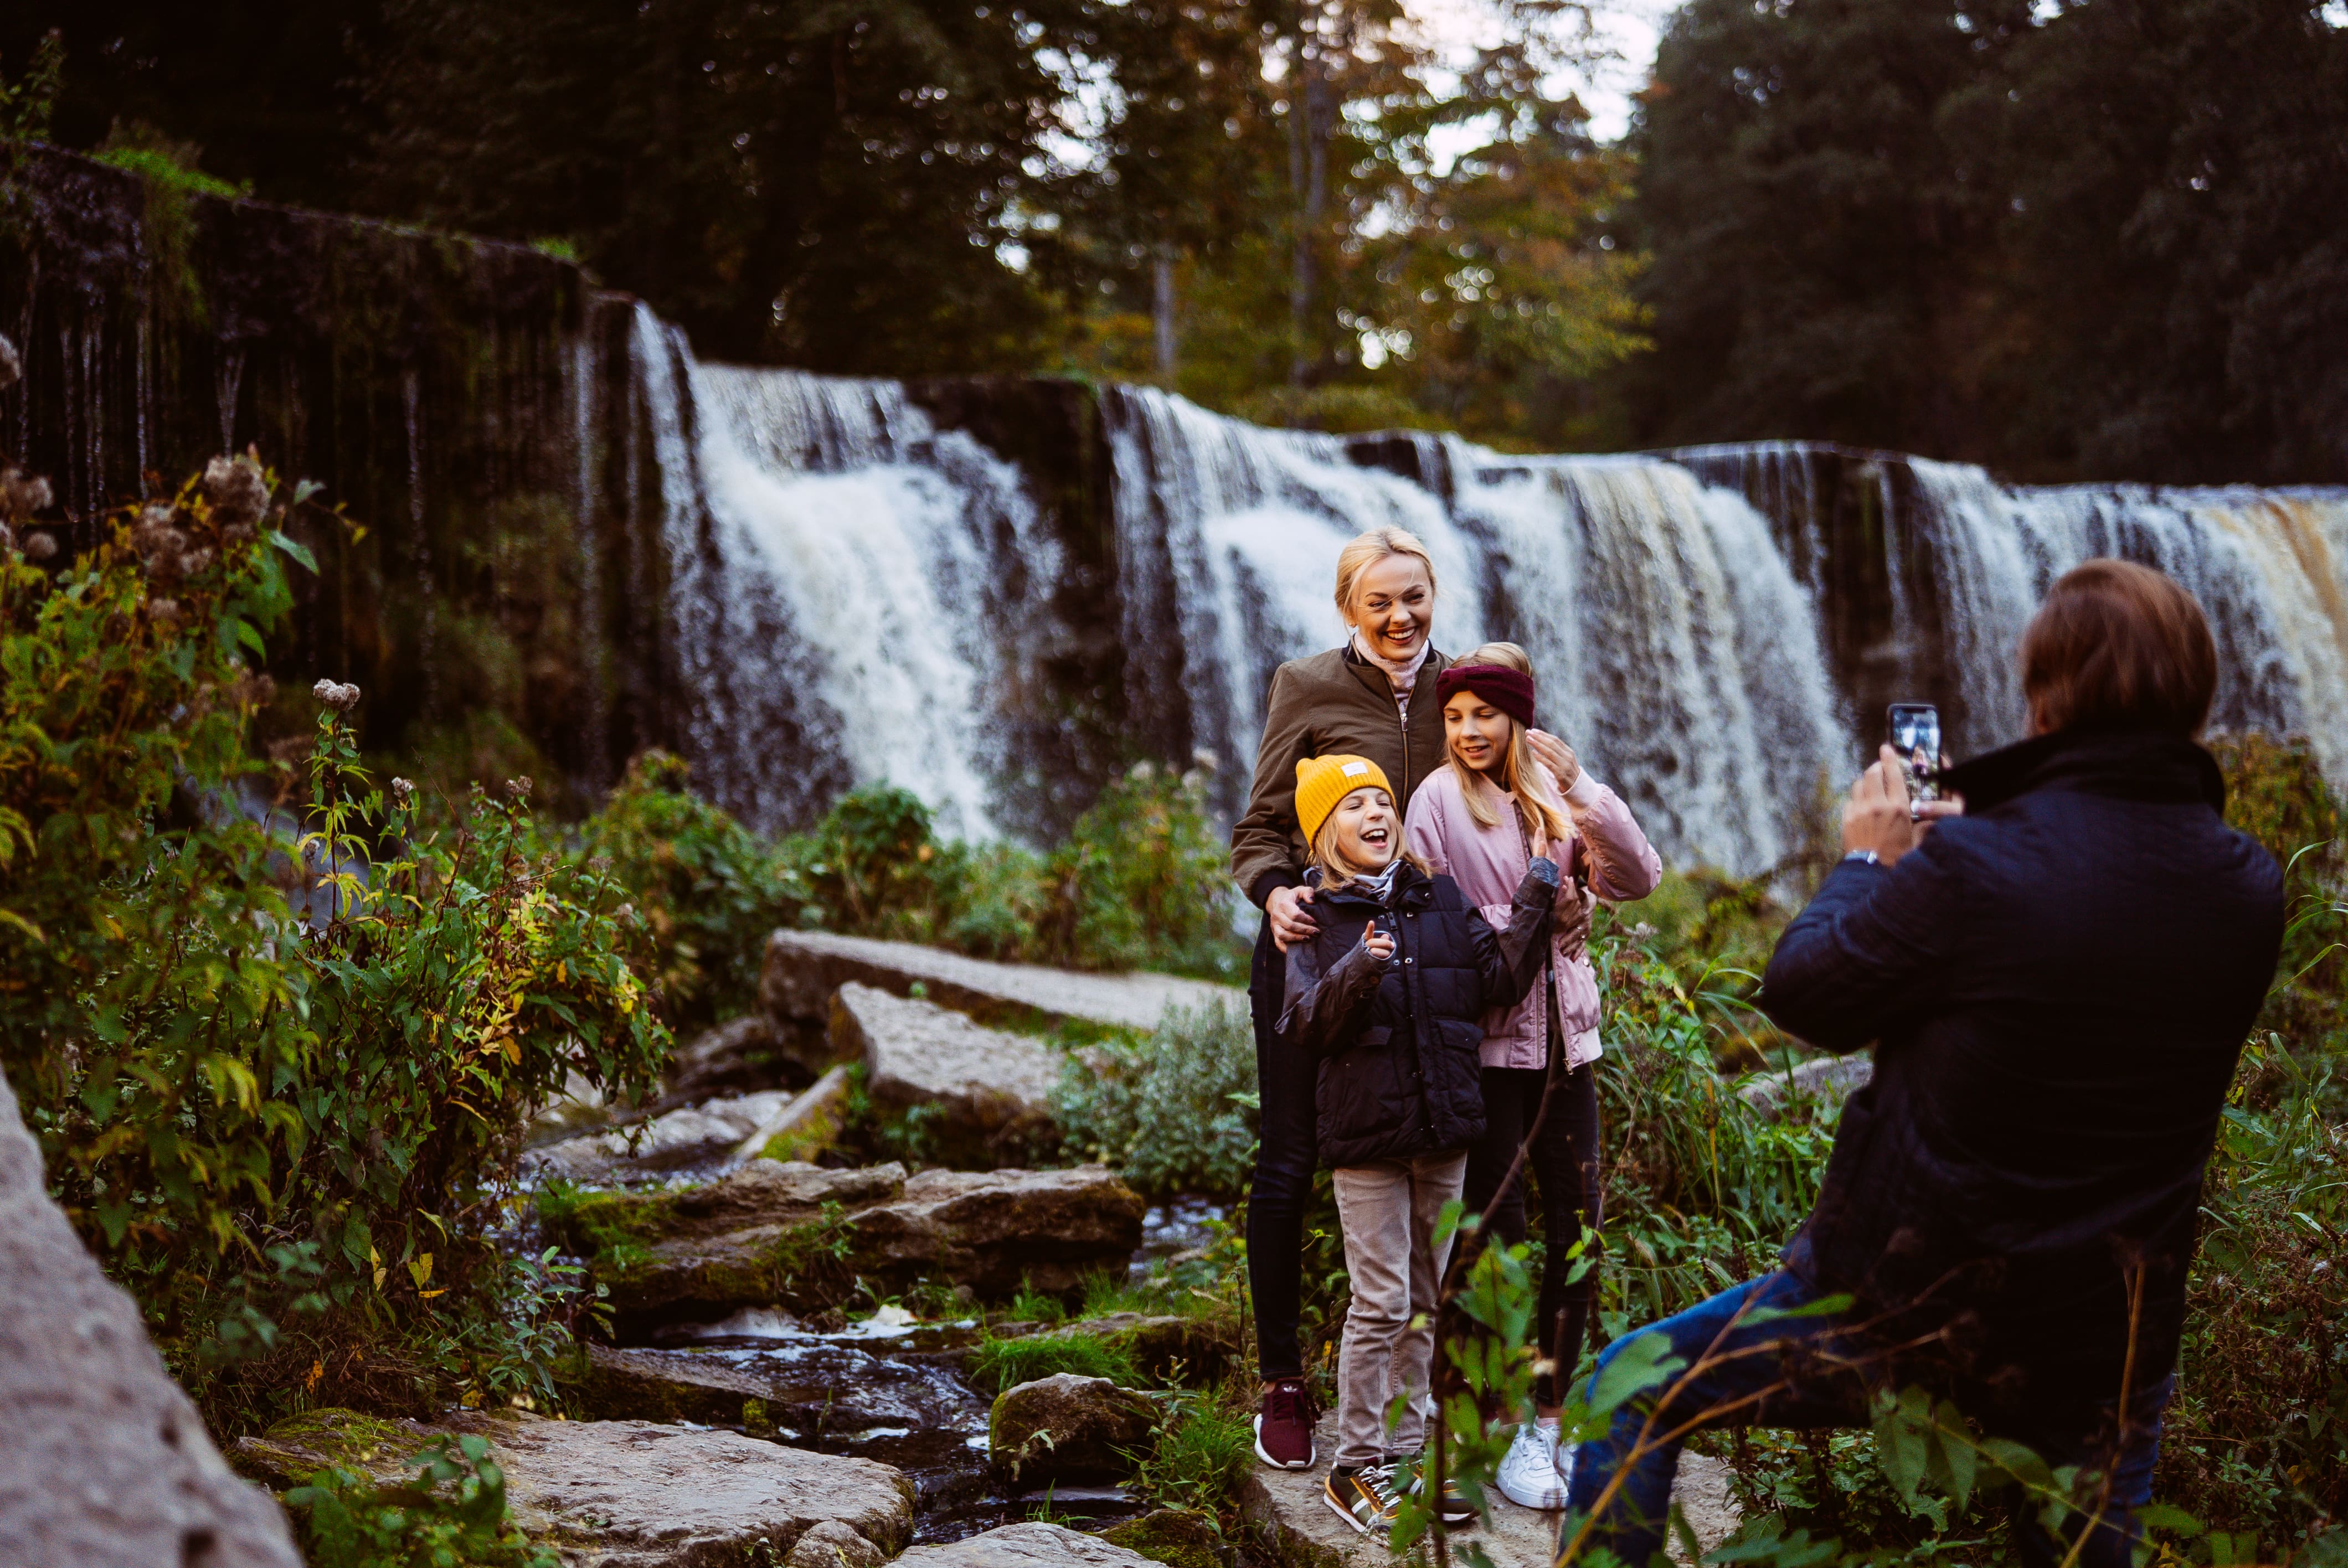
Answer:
(846, 614)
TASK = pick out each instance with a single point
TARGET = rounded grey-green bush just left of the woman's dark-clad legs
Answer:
(1173, 1111)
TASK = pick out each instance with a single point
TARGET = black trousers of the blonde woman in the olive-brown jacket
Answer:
(1283, 1184)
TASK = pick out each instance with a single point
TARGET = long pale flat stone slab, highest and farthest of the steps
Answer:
(807, 968)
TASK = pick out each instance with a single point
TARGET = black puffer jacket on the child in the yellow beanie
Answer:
(1398, 1039)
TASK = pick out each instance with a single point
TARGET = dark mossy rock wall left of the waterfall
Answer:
(497, 586)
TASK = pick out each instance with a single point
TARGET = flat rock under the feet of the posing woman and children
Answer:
(1307, 1534)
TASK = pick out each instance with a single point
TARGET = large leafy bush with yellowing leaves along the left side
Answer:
(281, 1123)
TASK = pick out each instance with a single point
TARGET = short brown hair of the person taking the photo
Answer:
(2119, 647)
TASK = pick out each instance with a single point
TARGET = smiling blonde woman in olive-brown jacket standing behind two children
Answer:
(1375, 698)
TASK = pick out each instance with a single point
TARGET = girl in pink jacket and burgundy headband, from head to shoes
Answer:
(1506, 795)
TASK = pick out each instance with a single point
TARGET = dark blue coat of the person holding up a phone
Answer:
(2056, 987)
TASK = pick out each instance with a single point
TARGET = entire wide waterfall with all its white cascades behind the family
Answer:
(863, 595)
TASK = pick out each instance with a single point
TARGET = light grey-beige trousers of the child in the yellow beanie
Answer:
(1389, 1215)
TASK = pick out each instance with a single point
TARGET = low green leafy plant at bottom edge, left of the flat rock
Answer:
(450, 1515)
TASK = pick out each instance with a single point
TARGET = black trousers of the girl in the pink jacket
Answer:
(1565, 1161)
